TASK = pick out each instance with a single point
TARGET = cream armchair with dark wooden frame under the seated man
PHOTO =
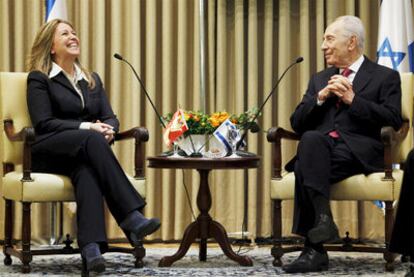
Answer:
(383, 186)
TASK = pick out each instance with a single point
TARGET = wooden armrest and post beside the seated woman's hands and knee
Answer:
(140, 134)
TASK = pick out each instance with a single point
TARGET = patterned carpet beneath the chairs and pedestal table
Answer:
(341, 264)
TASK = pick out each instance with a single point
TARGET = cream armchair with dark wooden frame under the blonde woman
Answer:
(20, 184)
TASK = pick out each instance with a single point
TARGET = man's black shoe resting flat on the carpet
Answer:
(309, 260)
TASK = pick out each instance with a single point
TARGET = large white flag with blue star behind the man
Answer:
(395, 35)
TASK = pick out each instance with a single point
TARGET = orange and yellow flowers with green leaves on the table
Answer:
(200, 123)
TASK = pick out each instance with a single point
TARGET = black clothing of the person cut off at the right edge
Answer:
(402, 240)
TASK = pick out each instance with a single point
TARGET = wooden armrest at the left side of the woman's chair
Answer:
(27, 136)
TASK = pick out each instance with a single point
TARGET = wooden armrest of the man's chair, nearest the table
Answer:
(274, 136)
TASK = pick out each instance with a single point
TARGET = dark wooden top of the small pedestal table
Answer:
(204, 163)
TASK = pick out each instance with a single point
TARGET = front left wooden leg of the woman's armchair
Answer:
(26, 237)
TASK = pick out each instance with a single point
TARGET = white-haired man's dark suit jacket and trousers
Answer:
(377, 103)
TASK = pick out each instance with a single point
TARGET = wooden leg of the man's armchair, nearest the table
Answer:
(277, 251)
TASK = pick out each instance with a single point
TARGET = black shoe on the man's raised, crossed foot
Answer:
(324, 231)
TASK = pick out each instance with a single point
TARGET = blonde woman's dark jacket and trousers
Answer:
(84, 155)
